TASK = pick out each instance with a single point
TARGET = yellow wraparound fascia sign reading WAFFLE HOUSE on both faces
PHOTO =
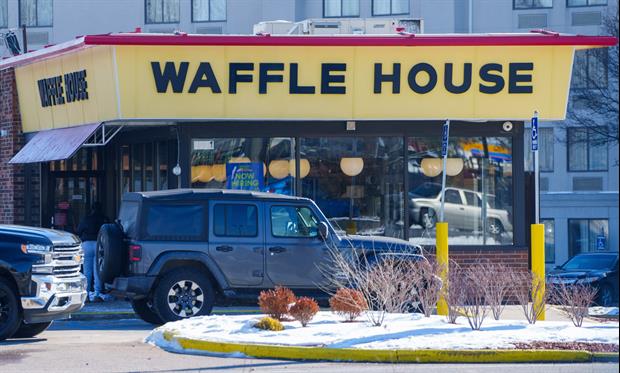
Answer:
(296, 83)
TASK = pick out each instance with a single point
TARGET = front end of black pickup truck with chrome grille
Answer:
(40, 279)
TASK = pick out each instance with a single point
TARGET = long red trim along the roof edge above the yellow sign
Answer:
(398, 40)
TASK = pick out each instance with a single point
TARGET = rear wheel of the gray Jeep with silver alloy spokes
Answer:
(183, 293)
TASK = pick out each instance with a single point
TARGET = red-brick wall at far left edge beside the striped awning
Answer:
(15, 180)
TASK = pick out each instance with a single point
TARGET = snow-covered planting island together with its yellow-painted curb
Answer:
(403, 337)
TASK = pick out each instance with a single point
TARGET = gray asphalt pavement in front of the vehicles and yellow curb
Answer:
(116, 346)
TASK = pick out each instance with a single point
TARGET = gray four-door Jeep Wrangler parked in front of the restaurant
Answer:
(177, 253)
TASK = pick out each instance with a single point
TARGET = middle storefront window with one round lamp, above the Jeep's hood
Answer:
(357, 182)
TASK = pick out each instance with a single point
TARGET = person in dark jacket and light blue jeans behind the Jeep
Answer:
(88, 231)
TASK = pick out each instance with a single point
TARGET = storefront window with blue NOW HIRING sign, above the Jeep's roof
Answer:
(261, 164)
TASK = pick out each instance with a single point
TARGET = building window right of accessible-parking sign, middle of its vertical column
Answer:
(587, 149)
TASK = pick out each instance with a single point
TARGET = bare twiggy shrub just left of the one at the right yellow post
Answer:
(500, 279)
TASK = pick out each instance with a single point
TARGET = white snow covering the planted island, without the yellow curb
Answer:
(399, 331)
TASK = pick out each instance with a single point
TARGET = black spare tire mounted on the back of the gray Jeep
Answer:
(110, 249)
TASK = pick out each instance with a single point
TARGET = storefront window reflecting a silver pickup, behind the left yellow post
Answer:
(479, 192)
